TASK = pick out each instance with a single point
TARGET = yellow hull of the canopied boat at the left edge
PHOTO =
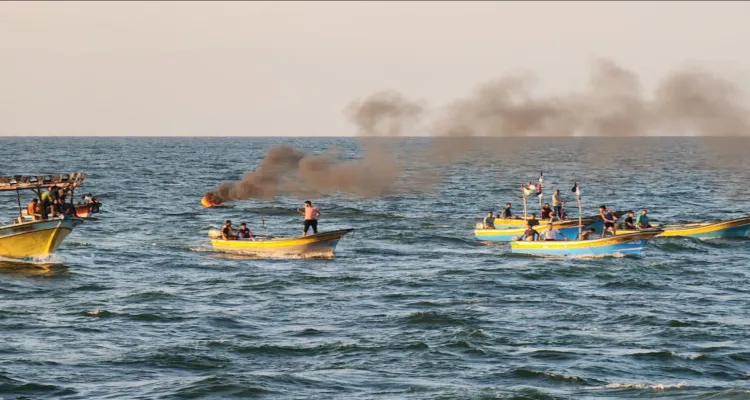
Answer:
(34, 239)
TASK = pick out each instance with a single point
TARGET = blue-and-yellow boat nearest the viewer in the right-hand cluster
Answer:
(627, 244)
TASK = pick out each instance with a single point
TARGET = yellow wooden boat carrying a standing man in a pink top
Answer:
(319, 245)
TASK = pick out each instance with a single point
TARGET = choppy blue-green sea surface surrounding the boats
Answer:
(136, 305)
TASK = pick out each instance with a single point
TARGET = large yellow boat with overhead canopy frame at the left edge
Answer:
(25, 237)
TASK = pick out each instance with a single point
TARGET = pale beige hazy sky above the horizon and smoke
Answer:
(290, 68)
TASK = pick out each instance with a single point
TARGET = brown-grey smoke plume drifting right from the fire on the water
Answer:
(687, 102)
